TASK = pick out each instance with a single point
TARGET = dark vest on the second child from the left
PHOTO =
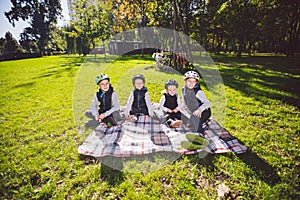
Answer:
(139, 102)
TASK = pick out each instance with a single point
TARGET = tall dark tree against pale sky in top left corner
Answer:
(41, 14)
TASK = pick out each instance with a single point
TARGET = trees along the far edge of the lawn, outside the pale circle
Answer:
(237, 26)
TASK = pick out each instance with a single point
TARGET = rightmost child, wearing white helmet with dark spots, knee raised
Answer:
(195, 100)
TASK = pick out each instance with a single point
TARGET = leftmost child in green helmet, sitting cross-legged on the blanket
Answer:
(105, 106)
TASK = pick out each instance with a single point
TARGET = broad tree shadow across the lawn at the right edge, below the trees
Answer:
(263, 77)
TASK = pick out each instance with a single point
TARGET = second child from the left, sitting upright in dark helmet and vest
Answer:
(139, 101)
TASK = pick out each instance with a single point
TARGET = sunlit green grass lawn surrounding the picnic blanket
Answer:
(43, 101)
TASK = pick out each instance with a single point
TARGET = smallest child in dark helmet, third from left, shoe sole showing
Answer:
(170, 104)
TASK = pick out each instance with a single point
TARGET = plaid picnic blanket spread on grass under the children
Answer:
(149, 136)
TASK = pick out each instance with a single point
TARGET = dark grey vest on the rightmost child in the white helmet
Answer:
(190, 98)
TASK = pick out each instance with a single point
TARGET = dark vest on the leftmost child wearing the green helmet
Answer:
(105, 99)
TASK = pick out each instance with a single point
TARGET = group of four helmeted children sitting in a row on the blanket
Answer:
(105, 105)
